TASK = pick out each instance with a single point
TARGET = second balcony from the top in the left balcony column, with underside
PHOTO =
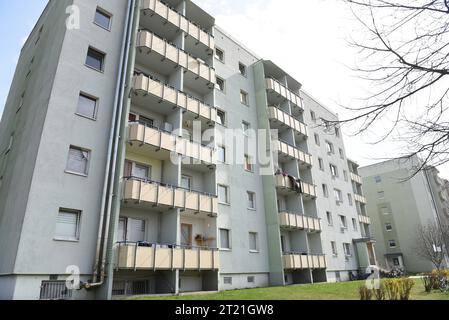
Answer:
(164, 57)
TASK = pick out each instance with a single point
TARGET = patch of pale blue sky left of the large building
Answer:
(15, 29)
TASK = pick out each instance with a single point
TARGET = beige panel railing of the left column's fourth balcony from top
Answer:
(166, 141)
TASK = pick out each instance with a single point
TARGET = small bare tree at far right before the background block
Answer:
(431, 243)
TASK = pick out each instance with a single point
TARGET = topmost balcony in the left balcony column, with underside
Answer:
(156, 13)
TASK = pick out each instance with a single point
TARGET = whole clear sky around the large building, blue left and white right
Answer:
(308, 39)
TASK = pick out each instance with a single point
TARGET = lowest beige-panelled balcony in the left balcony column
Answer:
(155, 257)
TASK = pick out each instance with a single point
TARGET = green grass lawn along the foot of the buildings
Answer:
(325, 291)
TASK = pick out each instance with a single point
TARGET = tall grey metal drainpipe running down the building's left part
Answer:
(117, 113)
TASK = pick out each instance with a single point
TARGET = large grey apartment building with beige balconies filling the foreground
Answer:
(117, 165)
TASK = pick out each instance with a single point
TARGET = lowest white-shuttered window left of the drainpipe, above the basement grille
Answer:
(68, 225)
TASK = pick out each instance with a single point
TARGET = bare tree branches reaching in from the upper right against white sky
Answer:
(403, 53)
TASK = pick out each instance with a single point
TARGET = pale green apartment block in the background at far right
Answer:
(399, 203)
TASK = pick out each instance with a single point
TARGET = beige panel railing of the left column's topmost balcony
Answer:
(180, 22)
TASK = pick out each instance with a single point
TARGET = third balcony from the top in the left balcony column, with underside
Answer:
(153, 92)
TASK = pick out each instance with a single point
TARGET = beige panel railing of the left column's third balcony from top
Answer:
(177, 98)
